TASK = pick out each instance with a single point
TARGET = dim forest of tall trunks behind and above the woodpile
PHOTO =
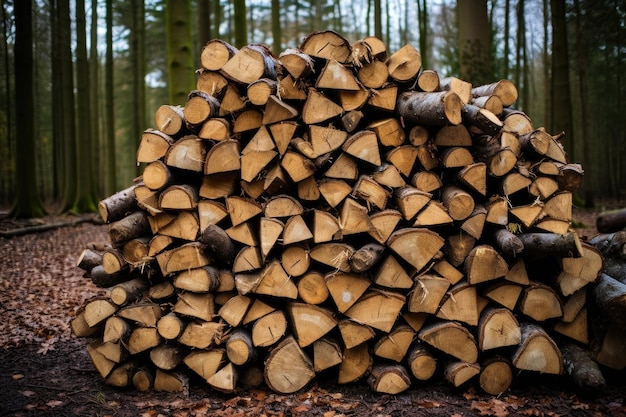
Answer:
(81, 80)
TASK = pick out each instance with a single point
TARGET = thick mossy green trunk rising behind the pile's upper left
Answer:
(179, 51)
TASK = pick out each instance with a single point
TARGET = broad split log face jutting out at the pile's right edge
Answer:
(578, 272)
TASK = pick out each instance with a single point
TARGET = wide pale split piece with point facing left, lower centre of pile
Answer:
(378, 309)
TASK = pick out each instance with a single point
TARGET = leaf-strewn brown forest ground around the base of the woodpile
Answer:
(45, 371)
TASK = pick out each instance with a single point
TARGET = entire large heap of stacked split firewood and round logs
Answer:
(339, 211)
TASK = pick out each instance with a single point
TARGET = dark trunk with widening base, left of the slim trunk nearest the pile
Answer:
(84, 200)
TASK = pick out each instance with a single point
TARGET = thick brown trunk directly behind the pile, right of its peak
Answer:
(474, 42)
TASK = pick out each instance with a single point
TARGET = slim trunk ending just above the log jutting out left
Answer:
(111, 177)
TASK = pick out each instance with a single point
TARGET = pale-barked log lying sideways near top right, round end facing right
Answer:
(430, 109)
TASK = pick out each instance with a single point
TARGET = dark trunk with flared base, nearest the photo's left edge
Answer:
(27, 200)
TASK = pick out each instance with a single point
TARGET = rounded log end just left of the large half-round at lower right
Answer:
(497, 328)
